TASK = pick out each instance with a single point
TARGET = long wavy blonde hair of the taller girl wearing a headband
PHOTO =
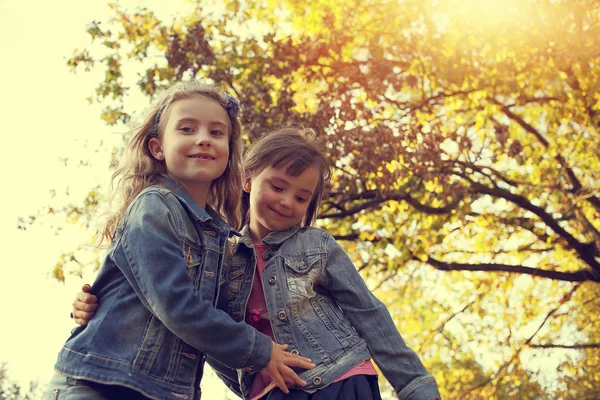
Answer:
(138, 169)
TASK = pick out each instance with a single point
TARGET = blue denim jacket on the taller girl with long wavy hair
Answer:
(156, 292)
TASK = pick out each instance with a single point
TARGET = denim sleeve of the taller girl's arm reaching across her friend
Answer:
(149, 254)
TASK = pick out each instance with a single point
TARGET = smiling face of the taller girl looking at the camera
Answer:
(195, 143)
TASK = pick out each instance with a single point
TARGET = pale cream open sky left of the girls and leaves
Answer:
(46, 118)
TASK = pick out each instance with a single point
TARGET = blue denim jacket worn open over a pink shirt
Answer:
(321, 307)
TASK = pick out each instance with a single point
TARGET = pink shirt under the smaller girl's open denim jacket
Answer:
(258, 316)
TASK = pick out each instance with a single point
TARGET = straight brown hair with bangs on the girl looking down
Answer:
(294, 149)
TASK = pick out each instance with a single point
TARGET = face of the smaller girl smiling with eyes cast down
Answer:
(279, 201)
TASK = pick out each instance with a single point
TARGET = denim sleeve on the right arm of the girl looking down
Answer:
(371, 319)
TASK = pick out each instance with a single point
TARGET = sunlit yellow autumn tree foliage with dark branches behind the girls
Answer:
(465, 136)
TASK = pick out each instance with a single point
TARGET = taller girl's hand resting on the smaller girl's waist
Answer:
(279, 367)
